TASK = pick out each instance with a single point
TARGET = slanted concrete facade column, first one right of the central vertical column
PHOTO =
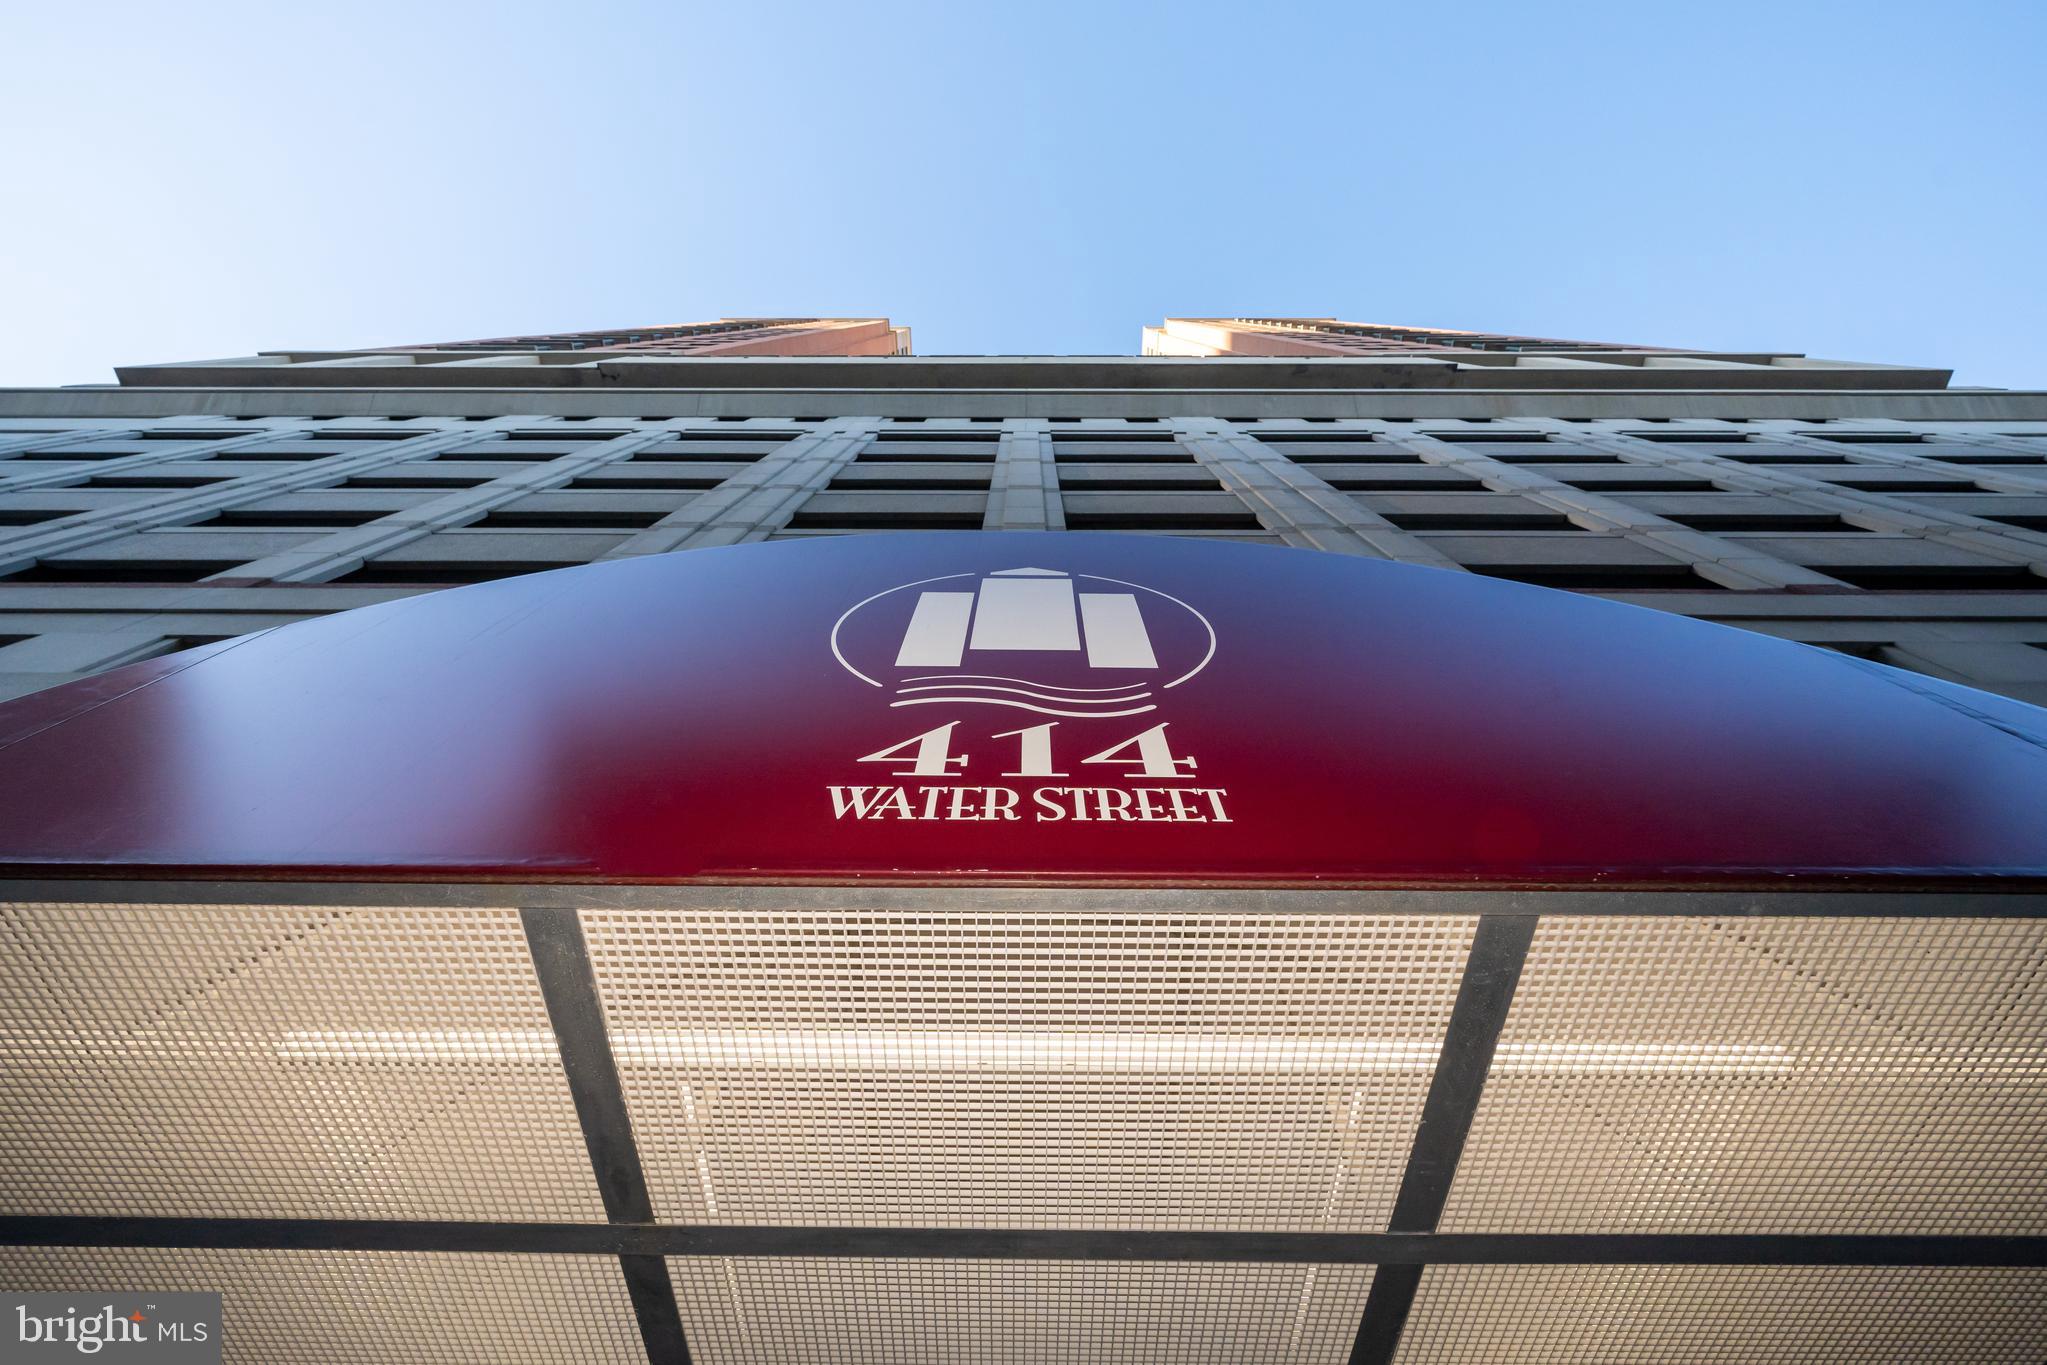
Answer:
(1295, 502)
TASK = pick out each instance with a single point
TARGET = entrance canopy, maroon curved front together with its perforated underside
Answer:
(1700, 1000)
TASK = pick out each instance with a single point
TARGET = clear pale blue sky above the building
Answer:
(1862, 181)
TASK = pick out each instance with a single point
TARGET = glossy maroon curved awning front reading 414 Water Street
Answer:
(1022, 709)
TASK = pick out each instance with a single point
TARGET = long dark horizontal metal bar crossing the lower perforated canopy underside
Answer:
(1383, 1249)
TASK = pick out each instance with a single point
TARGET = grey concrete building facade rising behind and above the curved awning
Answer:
(1858, 509)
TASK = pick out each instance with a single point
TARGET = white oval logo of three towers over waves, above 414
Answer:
(1031, 640)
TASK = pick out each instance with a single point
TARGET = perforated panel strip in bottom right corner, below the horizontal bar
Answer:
(1721, 1315)
